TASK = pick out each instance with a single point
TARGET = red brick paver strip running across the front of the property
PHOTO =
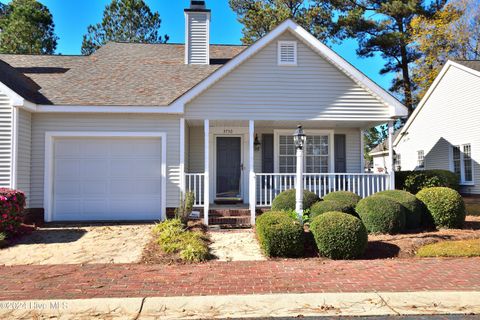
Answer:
(220, 278)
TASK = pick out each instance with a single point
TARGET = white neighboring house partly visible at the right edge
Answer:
(444, 130)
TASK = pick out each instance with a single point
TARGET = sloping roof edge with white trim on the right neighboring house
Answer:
(471, 66)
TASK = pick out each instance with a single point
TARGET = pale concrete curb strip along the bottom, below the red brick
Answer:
(249, 306)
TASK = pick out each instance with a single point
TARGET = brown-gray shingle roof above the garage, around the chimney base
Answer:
(118, 74)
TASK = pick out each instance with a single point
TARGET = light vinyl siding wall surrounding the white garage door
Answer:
(42, 123)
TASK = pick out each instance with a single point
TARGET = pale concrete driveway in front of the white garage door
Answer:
(79, 245)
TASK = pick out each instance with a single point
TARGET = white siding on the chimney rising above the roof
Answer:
(197, 38)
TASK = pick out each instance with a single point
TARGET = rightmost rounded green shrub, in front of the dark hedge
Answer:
(445, 206)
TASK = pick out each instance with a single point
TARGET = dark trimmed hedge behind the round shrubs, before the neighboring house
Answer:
(414, 181)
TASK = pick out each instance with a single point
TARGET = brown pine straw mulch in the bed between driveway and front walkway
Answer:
(153, 254)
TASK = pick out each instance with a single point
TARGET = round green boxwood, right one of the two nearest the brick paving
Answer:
(339, 235)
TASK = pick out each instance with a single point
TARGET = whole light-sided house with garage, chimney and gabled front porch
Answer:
(118, 135)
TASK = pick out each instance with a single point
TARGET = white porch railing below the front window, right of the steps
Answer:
(269, 185)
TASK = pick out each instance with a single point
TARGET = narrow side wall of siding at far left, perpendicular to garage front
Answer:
(24, 151)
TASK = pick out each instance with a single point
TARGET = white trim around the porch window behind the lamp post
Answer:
(280, 132)
